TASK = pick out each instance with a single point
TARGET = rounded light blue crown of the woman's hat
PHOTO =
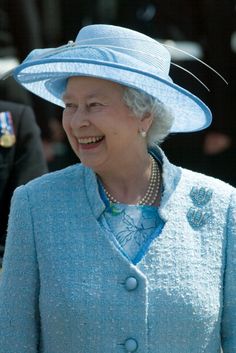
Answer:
(132, 44)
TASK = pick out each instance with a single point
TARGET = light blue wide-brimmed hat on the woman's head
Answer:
(118, 54)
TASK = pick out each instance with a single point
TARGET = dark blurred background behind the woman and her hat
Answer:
(204, 28)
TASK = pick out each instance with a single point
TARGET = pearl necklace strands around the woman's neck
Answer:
(153, 188)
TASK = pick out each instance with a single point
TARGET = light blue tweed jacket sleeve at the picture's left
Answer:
(19, 283)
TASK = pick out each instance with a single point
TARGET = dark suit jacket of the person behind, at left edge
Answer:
(21, 162)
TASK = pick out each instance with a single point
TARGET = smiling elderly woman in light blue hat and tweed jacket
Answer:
(124, 252)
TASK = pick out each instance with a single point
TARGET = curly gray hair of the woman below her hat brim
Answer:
(140, 103)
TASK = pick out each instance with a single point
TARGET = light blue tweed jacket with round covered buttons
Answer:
(66, 287)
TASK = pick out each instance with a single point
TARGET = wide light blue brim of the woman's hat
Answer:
(47, 78)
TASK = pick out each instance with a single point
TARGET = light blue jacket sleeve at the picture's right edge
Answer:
(229, 299)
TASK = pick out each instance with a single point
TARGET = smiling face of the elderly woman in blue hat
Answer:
(100, 127)
